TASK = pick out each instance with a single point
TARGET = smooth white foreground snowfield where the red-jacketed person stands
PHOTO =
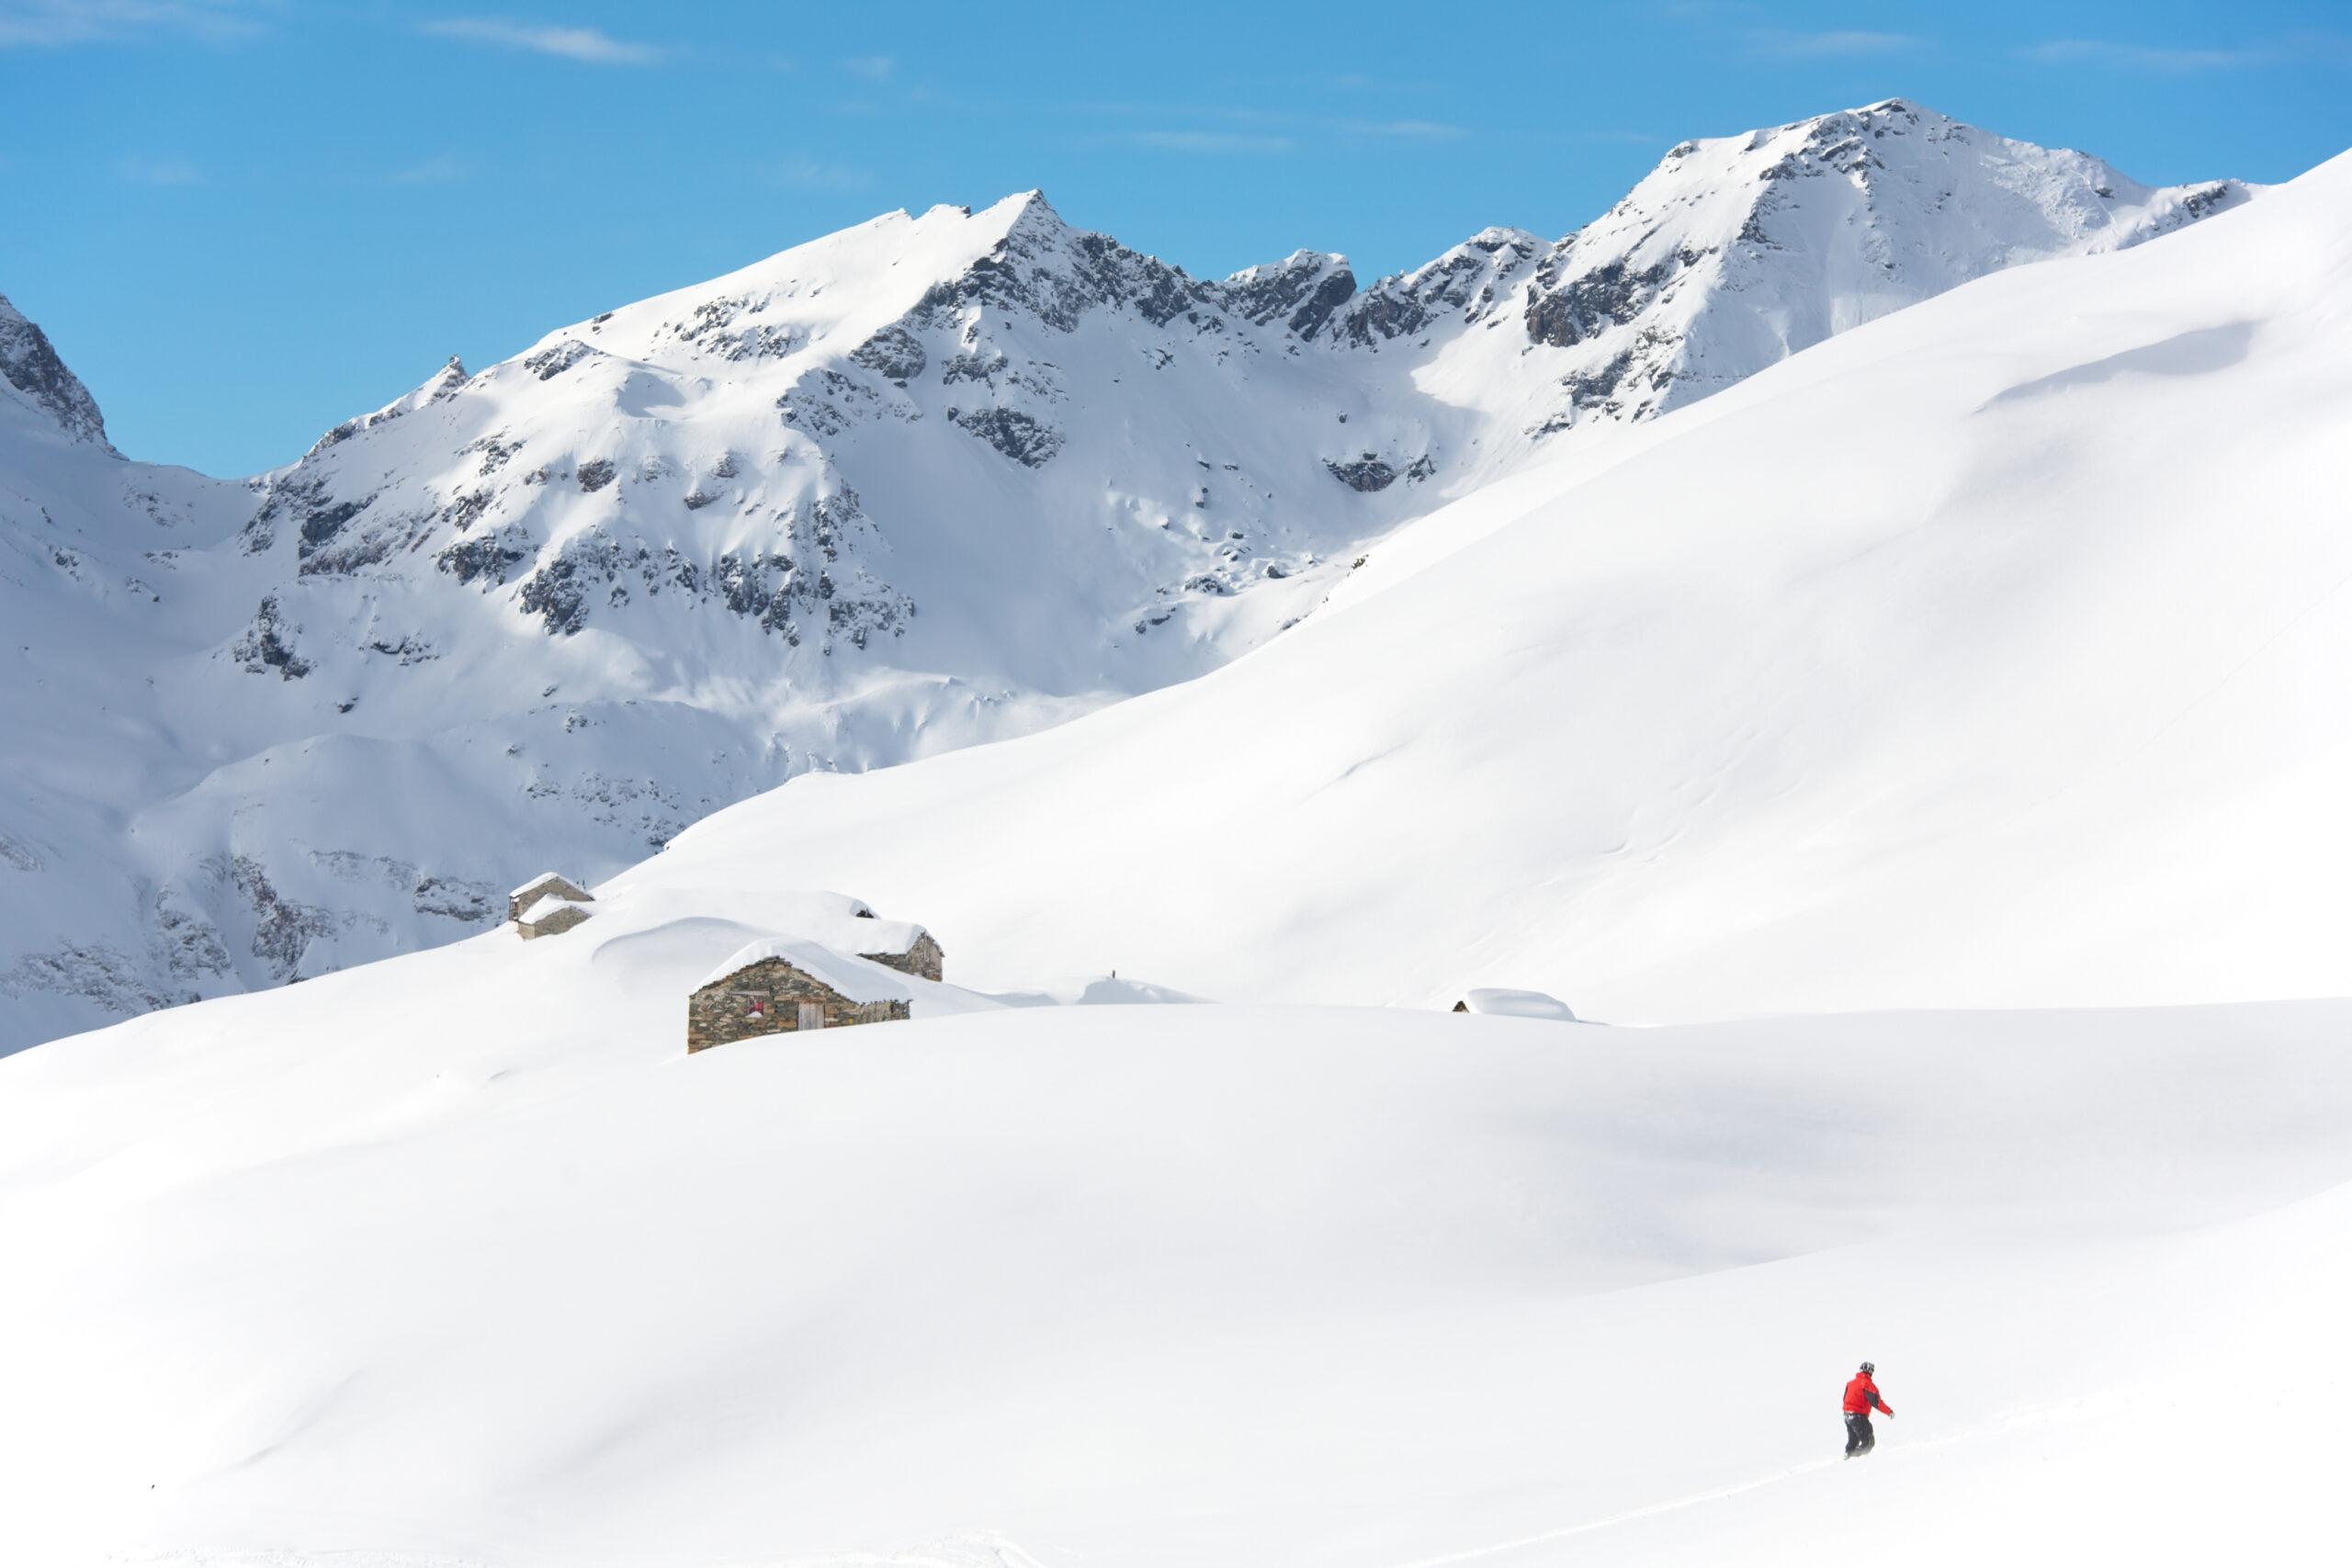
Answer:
(460, 1261)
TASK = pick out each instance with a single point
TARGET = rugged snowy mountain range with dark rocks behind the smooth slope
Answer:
(933, 481)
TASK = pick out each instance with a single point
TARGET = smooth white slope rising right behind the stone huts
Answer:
(1984, 655)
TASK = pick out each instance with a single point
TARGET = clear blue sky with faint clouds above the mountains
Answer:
(246, 220)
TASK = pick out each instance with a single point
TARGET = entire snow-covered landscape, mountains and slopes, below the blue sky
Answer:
(1979, 655)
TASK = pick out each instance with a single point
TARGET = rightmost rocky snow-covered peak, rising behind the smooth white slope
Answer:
(1744, 250)
